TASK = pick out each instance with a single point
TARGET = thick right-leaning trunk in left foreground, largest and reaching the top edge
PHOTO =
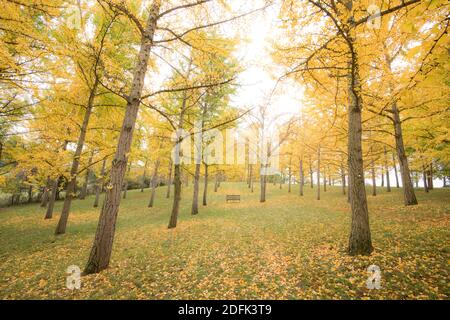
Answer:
(101, 250)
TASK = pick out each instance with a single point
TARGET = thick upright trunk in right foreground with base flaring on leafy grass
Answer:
(360, 241)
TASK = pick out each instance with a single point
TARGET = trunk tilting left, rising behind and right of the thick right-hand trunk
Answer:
(408, 189)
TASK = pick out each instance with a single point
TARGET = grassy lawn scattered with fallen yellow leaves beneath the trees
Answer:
(287, 248)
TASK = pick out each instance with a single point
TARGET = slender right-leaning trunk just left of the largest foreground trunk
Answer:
(71, 185)
